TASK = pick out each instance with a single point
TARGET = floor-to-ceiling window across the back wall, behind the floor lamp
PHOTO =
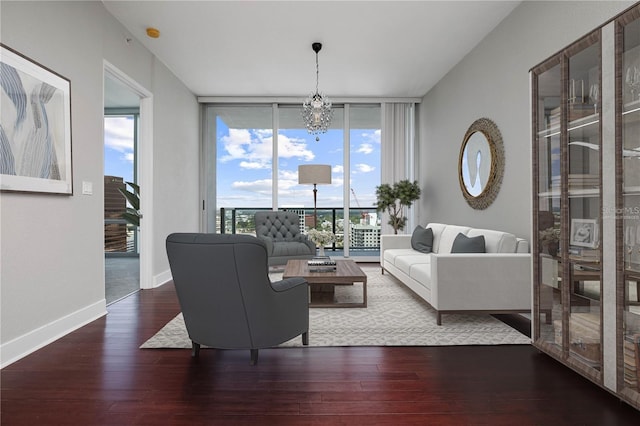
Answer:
(252, 154)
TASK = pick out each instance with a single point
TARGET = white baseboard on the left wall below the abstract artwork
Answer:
(30, 342)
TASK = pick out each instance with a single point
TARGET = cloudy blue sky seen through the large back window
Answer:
(244, 167)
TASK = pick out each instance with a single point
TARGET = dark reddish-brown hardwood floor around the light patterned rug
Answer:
(98, 376)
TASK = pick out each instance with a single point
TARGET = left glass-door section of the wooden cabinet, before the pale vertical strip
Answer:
(567, 157)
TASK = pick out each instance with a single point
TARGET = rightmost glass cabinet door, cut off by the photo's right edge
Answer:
(629, 214)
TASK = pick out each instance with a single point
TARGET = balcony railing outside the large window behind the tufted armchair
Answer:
(365, 229)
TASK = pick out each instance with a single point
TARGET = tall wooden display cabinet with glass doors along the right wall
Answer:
(586, 201)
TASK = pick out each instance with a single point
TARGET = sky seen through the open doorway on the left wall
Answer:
(118, 147)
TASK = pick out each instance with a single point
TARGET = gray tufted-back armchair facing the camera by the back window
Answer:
(280, 231)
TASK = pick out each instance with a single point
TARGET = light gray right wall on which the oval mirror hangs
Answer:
(493, 81)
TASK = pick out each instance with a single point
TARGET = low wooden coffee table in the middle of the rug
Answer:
(322, 284)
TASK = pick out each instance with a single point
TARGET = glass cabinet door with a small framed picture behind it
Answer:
(583, 273)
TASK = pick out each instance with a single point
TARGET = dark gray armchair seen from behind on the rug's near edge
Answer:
(227, 298)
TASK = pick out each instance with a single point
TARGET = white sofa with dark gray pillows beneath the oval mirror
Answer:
(498, 281)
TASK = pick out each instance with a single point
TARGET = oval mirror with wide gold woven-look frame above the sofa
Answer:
(481, 163)
